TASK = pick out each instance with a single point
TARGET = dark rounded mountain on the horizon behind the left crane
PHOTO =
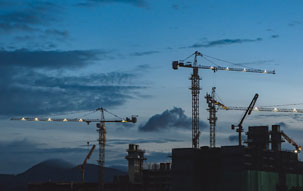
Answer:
(54, 170)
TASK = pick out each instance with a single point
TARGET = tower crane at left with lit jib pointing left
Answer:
(101, 130)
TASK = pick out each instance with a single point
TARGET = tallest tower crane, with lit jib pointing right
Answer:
(195, 86)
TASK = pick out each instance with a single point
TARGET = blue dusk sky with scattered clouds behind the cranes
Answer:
(67, 58)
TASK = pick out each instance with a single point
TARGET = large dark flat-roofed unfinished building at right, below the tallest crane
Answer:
(254, 167)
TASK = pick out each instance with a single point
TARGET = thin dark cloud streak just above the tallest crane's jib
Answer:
(224, 42)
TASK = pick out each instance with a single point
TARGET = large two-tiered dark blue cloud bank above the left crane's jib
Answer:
(32, 83)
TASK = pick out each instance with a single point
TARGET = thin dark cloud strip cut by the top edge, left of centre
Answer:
(137, 3)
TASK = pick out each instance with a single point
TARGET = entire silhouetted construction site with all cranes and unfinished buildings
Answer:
(256, 163)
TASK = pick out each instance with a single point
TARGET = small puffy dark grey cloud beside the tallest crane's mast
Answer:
(174, 118)
